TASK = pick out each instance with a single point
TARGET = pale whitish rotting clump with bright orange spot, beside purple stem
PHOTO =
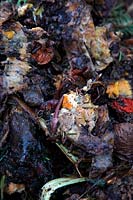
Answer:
(78, 111)
